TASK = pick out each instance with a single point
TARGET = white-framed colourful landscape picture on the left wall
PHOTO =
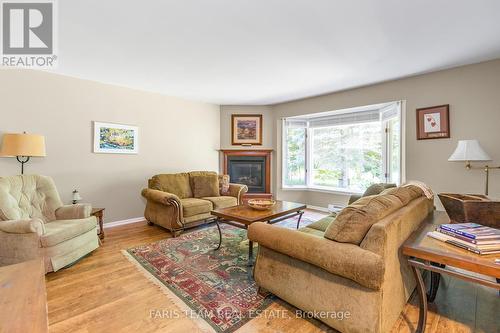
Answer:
(112, 138)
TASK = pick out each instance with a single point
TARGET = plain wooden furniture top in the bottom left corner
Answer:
(23, 301)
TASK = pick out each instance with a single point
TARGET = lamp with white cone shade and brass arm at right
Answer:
(471, 151)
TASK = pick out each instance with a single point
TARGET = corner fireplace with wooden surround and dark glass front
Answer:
(251, 168)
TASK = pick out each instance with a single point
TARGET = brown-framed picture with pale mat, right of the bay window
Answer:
(433, 122)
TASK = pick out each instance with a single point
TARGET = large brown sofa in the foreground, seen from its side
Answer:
(349, 266)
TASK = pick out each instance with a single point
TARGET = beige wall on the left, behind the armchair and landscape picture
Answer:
(174, 135)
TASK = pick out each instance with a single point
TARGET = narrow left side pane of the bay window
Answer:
(295, 156)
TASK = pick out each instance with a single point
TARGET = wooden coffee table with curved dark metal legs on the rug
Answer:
(242, 216)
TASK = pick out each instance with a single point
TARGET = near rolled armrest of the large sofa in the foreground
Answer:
(347, 260)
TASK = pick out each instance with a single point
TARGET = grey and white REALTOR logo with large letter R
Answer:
(28, 34)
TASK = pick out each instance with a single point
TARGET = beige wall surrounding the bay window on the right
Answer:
(473, 93)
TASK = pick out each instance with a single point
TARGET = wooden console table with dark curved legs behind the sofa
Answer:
(426, 253)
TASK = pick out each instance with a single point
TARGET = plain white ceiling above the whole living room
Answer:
(269, 51)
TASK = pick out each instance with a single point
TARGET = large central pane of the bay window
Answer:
(347, 156)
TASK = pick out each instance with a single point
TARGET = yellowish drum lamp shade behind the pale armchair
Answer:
(23, 145)
